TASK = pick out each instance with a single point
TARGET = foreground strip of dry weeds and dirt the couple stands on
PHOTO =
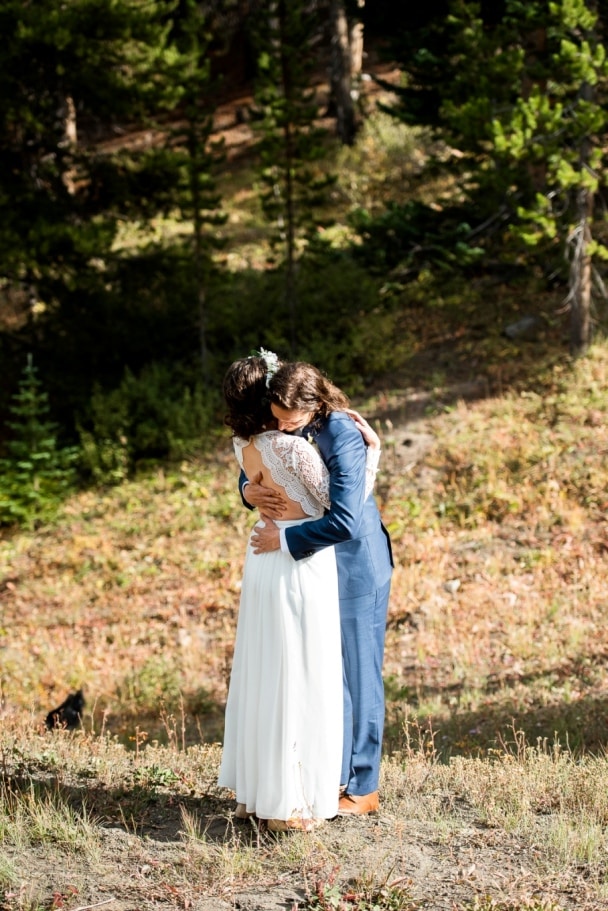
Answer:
(83, 819)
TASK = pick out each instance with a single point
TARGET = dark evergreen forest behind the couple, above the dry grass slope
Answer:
(129, 283)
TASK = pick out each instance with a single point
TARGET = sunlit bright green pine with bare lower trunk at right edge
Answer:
(558, 129)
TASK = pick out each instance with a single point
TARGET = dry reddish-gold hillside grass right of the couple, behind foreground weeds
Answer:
(511, 504)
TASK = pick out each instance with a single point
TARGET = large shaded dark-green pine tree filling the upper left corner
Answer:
(70, 75)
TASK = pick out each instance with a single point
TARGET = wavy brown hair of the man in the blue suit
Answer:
(301, 387)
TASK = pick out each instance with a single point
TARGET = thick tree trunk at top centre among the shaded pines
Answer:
(340, 74)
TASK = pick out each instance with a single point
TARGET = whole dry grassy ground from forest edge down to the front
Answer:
(494, 673)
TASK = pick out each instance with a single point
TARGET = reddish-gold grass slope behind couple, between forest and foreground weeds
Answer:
(498, 602)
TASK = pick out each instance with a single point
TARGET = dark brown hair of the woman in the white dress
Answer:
(247, 399)
